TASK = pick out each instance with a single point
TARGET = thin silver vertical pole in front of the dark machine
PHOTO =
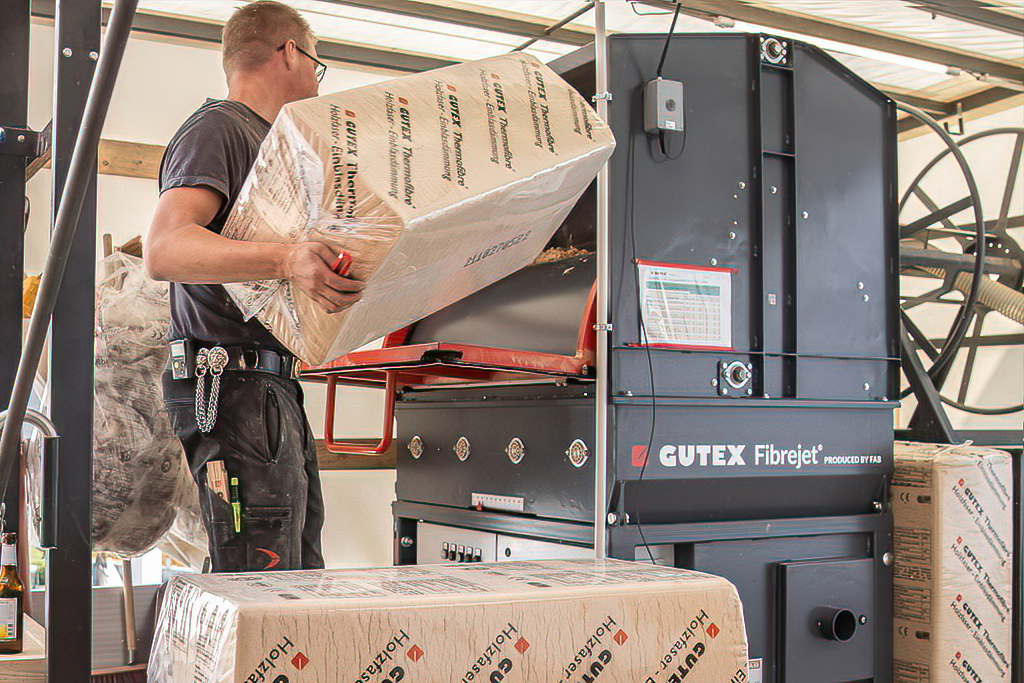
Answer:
(604, 289)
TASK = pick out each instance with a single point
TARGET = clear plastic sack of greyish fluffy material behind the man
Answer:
(140, 476)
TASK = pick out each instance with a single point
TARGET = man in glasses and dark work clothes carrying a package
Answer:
(231, 391)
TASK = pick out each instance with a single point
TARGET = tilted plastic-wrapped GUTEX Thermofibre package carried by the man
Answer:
(438, 184)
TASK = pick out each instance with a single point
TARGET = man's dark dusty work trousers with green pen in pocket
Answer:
(263, 437)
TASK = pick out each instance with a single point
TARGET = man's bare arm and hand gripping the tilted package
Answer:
(180, 249)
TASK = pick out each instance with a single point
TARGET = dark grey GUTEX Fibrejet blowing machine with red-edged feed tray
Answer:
(747, 395)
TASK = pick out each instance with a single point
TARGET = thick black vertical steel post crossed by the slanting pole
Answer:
(69, 576)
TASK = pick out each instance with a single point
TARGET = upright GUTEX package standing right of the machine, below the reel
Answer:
(953, 511)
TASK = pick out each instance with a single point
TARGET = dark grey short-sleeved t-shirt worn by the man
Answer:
(215, 149)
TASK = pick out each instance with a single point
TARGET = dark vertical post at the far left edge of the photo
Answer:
(14, 112)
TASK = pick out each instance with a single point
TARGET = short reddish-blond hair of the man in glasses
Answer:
(258, 30)
